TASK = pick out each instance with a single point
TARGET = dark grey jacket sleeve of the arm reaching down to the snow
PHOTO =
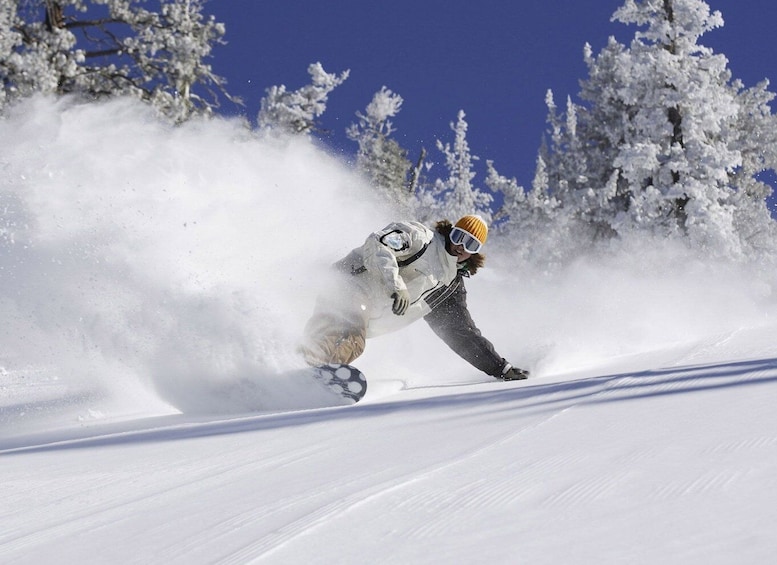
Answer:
(451, 321)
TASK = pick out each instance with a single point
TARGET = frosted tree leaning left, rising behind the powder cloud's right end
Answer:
(381, 158)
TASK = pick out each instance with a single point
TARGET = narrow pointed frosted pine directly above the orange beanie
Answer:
(456, 196)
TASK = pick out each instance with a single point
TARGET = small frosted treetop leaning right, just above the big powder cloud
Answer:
(296, 112)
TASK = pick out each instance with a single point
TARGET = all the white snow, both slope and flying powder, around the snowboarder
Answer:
(152, 283)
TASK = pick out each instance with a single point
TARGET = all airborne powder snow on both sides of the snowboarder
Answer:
(147, 263)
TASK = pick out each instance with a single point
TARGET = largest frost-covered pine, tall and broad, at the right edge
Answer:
(661, 141)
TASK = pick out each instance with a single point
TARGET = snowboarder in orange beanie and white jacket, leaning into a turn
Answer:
(400, 274)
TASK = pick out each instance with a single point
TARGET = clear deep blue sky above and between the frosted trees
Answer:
(494, 59)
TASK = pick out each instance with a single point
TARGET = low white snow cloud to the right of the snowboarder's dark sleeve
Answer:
(638, 296)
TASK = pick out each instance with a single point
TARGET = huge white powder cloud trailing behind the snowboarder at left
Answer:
(188, 256)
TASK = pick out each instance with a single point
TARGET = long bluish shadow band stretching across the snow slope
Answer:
(523, 395)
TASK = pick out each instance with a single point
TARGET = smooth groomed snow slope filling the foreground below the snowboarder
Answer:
(669, 457)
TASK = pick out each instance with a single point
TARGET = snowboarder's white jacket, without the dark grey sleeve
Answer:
(378, 270)
